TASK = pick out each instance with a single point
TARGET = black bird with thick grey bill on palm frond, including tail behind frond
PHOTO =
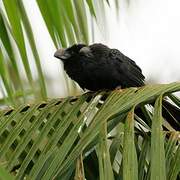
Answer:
(98, 67)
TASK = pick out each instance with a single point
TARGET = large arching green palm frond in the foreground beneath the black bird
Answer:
(53, 139)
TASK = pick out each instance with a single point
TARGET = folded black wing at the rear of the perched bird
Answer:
(129, 72)
